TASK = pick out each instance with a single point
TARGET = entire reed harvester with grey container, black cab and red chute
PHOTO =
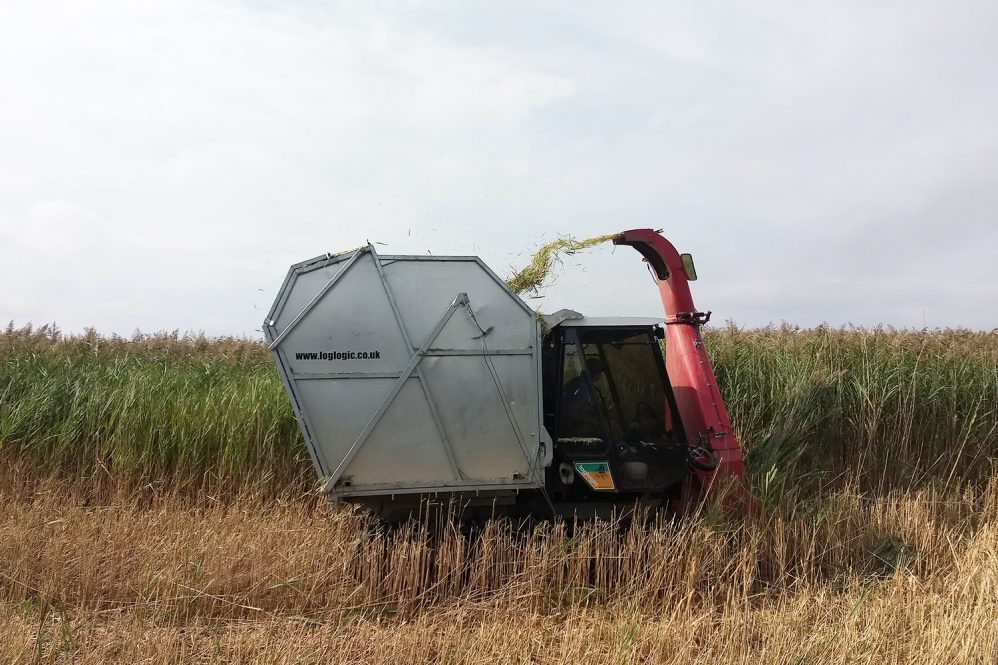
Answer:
(421, 379)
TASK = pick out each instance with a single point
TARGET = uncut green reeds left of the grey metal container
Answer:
(150, 405)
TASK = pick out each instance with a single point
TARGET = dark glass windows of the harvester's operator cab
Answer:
(626, 388)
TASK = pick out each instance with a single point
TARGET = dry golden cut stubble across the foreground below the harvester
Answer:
(135, 574)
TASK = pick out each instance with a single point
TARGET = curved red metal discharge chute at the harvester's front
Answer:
(698, 399)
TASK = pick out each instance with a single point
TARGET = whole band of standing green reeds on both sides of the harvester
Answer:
(880, 407)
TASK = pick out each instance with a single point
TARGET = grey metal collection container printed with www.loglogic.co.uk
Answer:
(411, 374)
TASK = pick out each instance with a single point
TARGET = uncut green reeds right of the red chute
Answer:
(882, 407)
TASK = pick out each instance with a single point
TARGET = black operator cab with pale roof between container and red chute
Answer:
(609, 408)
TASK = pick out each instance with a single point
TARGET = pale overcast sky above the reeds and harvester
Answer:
(163, 162)
